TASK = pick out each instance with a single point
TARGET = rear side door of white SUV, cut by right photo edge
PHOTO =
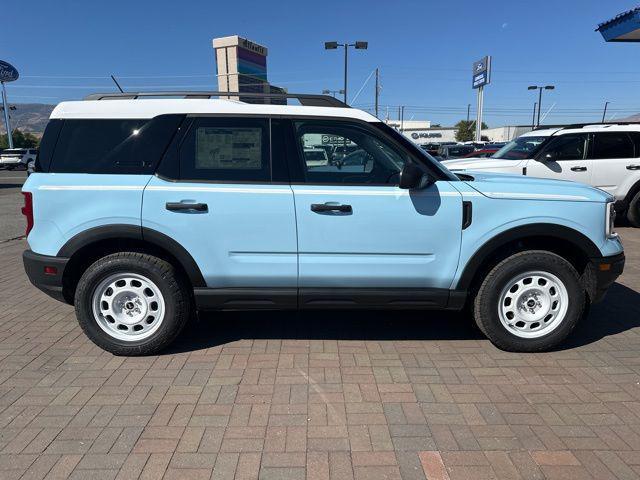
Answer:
(615, 164)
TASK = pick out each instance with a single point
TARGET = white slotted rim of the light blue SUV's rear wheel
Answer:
(128, 306)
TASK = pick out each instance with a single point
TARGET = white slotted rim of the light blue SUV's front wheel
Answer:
(533, 304)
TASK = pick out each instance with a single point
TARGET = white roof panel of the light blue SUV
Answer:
(149, 108)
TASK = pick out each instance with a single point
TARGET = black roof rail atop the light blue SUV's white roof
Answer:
(306, 99)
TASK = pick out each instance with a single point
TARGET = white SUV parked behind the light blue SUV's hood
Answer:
(606, 156)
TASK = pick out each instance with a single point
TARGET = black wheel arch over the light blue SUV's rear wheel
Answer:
(86, 247)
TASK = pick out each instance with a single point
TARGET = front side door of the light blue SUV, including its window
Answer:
(358, 230)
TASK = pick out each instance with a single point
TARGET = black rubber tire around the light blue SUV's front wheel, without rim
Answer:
(487, 301)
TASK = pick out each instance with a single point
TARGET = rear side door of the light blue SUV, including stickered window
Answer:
(217, 195)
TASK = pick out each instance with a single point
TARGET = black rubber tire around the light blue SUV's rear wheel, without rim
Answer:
(174, 292)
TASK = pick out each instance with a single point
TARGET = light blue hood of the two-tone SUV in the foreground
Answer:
(518, 187)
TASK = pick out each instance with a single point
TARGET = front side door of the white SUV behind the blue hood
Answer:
(564, 158)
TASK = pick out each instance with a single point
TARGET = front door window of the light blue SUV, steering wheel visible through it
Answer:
(358, 155)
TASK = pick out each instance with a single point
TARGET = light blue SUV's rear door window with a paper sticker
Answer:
(227, 149)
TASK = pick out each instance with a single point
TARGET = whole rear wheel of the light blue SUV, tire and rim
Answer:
(132, 304)
